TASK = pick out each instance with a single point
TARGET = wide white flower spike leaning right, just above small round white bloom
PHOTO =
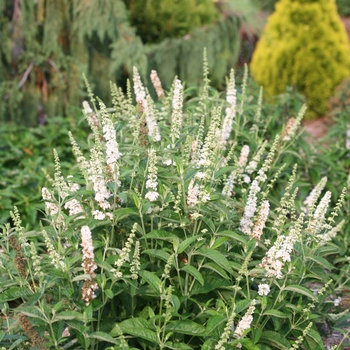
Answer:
(279, 253)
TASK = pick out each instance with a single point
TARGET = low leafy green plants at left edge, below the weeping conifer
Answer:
(24, 152)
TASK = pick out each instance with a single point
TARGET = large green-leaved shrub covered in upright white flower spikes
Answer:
(169, 233)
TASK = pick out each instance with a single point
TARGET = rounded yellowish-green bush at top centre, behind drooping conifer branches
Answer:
(158, 20)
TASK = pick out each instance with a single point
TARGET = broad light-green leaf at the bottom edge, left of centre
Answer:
(139, 327)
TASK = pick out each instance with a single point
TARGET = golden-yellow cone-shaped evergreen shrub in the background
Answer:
(303, 45)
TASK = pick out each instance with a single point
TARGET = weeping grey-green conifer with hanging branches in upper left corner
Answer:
(46, 46)
